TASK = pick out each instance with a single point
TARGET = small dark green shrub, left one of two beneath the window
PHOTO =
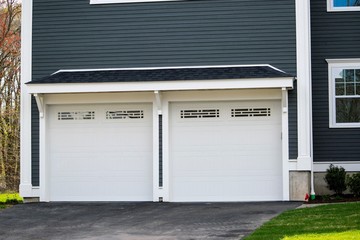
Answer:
(336, 179)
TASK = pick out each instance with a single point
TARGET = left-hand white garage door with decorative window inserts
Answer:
(100, 152)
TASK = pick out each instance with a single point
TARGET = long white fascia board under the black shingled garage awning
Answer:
(160, 86)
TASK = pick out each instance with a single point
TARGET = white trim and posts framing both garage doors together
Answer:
(160, 193)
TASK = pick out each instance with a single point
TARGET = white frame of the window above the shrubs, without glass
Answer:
(339, 63)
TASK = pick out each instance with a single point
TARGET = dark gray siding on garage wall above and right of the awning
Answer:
(70, 34)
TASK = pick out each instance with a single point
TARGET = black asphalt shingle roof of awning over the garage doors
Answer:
(168, 74)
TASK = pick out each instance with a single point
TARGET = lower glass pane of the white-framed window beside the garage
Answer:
(348, 110)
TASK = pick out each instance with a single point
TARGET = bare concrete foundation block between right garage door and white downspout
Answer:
(299, 185)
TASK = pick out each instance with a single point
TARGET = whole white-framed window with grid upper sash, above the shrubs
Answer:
(344, 93)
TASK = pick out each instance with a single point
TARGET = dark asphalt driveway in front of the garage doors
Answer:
(140, 221)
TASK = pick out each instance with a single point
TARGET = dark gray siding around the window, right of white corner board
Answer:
(335, 35)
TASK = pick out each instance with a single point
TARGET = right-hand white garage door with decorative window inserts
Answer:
(228, 151)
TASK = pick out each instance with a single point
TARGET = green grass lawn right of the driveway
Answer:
(321, 220)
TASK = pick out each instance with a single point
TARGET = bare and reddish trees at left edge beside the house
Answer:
(10, 21)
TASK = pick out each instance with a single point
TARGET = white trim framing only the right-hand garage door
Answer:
(229, 95)
